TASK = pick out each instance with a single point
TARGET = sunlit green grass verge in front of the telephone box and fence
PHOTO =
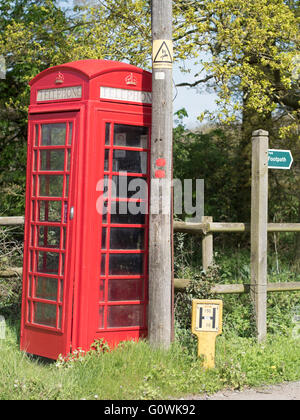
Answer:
(136, 371)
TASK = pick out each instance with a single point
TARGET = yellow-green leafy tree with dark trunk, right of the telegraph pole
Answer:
(249, 57)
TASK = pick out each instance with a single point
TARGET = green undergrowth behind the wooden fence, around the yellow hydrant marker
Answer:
(238, 316)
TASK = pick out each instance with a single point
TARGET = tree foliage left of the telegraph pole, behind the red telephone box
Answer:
(35, 35)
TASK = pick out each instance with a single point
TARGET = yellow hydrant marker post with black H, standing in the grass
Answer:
(207, 325)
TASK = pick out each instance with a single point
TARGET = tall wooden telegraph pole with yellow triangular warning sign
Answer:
(160, 235)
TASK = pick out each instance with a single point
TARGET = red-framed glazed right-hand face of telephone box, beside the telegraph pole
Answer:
(124, 245)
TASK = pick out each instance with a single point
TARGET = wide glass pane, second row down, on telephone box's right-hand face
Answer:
(130, 161)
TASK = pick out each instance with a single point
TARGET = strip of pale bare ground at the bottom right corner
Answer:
(286, 391)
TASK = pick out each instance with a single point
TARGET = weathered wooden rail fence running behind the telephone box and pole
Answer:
(206, 229)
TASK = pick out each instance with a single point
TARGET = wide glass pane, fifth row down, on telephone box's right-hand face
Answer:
(126, 238)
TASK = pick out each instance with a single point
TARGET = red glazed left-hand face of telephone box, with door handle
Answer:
(48, 268)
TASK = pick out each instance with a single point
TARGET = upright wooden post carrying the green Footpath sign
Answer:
(259, 221)
